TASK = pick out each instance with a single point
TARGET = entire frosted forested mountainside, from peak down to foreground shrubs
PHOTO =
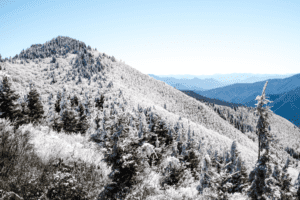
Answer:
(79, 124)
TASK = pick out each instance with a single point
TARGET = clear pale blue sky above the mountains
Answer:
(165, 37)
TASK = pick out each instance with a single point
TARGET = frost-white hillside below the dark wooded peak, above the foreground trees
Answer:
(136, 88)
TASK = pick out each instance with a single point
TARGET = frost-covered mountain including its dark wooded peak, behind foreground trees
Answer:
(69, 66)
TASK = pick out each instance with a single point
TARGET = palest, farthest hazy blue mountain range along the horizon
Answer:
(207, 82)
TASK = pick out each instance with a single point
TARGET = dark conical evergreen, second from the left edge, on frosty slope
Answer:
(35, 107)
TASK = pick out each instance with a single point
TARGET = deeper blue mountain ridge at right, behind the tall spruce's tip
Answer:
(285, 94)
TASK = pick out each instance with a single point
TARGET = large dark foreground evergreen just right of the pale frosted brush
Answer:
(125, 168)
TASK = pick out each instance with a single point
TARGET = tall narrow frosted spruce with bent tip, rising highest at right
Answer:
(260, 186)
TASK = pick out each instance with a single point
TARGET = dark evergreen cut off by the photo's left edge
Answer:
(8, 101)
